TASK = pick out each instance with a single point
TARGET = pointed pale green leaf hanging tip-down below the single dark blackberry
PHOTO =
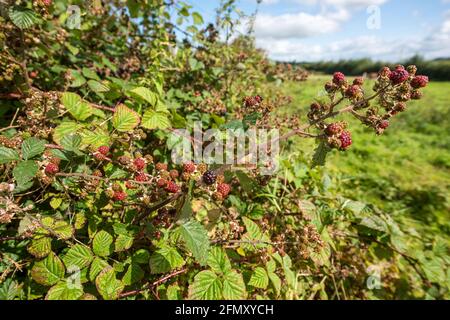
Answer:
(196, 239)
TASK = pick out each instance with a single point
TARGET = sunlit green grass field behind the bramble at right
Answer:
(405, 172)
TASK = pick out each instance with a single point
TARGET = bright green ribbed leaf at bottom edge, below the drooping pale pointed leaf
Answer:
(206, 286)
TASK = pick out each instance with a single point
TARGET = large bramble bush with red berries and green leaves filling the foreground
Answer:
(93, 207)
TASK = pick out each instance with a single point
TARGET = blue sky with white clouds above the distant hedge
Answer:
(311, 30)
